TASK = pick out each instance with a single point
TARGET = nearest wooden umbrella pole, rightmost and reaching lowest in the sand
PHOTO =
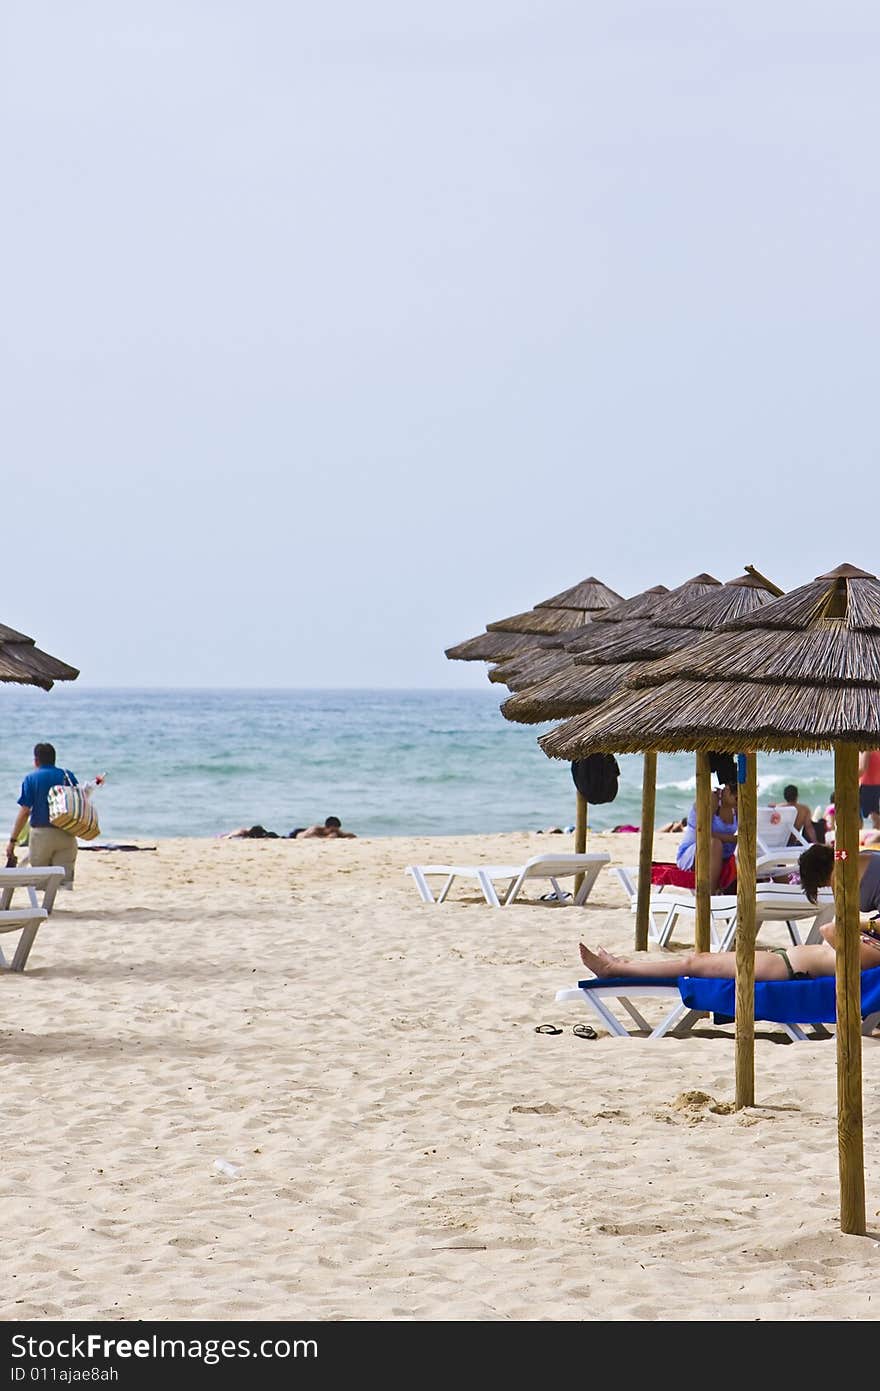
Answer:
(850, 1129)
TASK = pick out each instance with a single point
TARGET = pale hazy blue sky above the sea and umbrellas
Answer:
(334, 332)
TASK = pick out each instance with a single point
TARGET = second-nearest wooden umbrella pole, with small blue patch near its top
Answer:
(747, 856)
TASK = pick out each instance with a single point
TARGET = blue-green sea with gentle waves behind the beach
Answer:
(389, 763)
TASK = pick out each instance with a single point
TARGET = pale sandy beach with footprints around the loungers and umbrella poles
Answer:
(408, 1147)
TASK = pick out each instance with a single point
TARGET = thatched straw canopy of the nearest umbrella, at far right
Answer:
(801, 673)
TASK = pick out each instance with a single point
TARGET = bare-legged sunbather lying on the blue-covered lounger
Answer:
(771, 963)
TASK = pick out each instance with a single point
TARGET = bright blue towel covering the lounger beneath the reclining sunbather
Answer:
(782, 1002)
